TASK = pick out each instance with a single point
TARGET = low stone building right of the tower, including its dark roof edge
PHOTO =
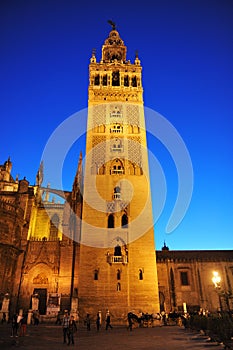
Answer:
(186, 277)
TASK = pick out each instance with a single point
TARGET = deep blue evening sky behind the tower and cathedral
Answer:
(185, 47)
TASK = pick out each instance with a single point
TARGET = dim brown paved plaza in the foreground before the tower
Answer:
(162, 338)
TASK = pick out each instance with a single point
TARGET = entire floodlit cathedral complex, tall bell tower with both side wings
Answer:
(94, 250)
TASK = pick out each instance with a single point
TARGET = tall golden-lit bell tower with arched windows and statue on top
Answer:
(117, 267)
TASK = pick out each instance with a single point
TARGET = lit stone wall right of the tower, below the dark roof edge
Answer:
(190, 281)
